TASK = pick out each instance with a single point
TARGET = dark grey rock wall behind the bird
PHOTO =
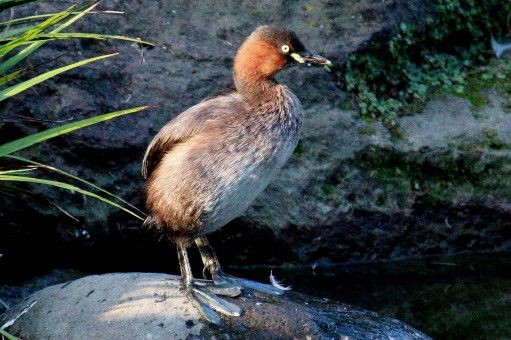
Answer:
(351, 192)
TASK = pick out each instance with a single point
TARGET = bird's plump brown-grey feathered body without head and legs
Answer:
(207, 165)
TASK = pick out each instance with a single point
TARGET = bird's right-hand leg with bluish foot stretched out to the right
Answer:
(212, 264)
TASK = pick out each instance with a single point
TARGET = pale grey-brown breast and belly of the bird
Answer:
(253, 153)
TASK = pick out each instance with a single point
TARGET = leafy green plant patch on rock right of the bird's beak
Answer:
(398, 75)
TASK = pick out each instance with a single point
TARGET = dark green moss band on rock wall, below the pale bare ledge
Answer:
(473, 170)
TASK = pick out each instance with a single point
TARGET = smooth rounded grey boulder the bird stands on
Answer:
(151, 306)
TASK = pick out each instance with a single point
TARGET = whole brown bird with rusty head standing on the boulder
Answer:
(208, 164)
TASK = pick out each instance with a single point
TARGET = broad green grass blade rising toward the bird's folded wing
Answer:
(38, 137)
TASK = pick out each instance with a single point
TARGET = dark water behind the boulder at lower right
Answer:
(450, 297)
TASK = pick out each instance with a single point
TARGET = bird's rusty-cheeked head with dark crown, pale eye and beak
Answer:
(268, 50)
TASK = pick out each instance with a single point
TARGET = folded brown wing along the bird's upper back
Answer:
(182, 127)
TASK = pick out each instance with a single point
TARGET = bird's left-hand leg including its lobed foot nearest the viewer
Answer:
(203, 299)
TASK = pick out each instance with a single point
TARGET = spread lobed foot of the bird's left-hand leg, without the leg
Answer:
(204, 298)
